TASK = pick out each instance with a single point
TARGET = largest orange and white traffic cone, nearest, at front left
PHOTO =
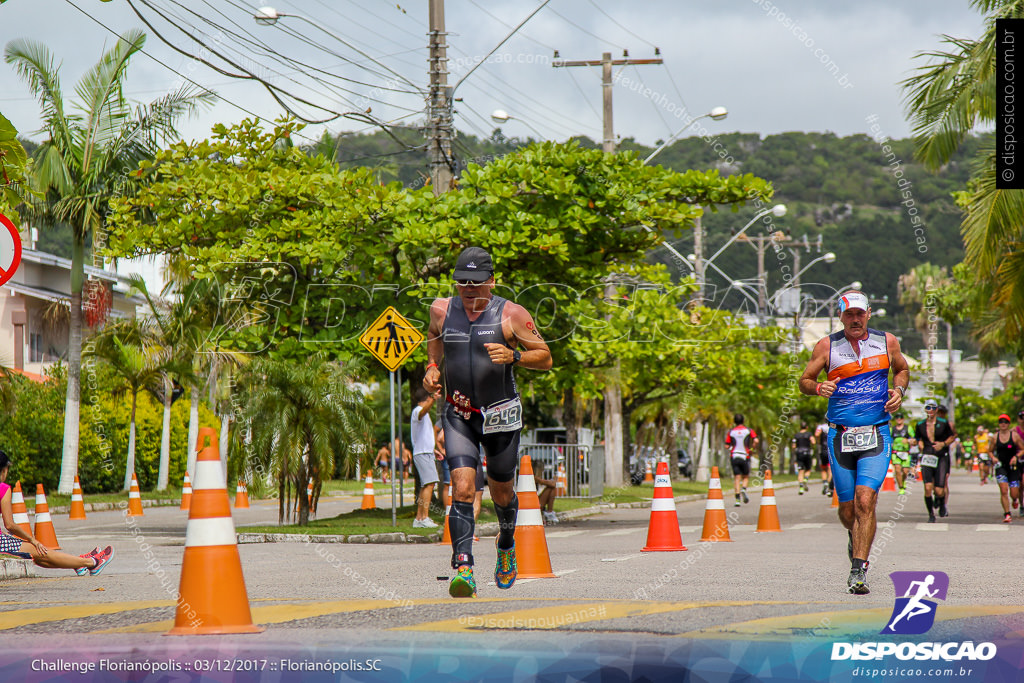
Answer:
(212, 589)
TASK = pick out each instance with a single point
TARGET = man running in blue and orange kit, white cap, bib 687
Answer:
(858, 361)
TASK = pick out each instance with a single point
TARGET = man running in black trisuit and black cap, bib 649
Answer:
(476, 335)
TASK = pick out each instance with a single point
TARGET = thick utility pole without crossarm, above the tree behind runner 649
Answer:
(440, 104)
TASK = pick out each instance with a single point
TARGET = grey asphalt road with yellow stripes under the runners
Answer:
(788, 586)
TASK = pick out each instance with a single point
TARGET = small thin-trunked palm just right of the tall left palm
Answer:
(132, 351)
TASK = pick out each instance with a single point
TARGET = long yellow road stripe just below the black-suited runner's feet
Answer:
(561, 616)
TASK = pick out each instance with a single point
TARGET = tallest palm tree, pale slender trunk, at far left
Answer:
(92, 150)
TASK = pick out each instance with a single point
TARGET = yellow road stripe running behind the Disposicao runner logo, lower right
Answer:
(832, 625)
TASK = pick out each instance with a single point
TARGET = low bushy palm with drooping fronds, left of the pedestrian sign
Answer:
(300, 418)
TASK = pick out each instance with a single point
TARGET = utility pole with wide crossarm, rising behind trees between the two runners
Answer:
(616, 461)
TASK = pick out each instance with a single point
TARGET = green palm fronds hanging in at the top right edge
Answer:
(947, 100)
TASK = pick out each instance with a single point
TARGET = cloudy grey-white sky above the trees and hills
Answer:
(795, 65)
